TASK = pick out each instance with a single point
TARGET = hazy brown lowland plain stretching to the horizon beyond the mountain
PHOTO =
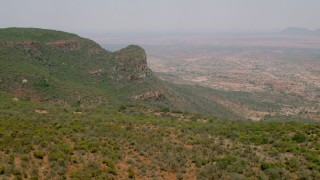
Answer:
(283, 70)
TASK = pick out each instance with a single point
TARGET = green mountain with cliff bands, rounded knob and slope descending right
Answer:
(63, 68)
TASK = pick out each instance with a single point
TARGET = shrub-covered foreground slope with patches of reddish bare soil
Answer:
(143, 143)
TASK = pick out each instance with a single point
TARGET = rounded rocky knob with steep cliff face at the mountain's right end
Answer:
(131, 63)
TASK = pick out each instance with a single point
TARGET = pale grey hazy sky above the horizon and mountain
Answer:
(161, 15)
